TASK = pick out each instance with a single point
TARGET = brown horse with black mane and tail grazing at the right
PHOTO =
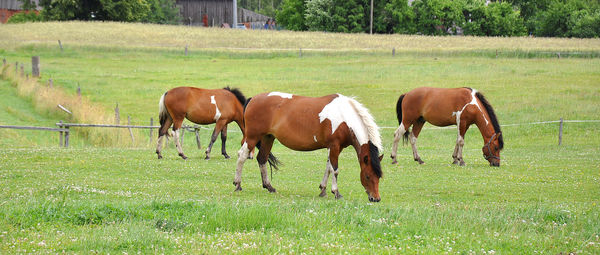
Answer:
(445, 107)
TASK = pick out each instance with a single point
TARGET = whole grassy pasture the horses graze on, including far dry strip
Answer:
(105, 196)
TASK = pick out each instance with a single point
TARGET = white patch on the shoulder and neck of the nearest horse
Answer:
(339, 111)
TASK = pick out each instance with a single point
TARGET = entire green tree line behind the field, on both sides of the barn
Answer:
(547, 18)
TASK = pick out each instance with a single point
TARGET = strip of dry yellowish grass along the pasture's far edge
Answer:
(162, 36)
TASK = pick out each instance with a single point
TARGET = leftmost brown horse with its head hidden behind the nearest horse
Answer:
(201, 106)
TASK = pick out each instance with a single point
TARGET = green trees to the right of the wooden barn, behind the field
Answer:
(548, 18)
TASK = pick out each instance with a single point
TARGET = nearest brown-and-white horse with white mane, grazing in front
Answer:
(305, 124)
